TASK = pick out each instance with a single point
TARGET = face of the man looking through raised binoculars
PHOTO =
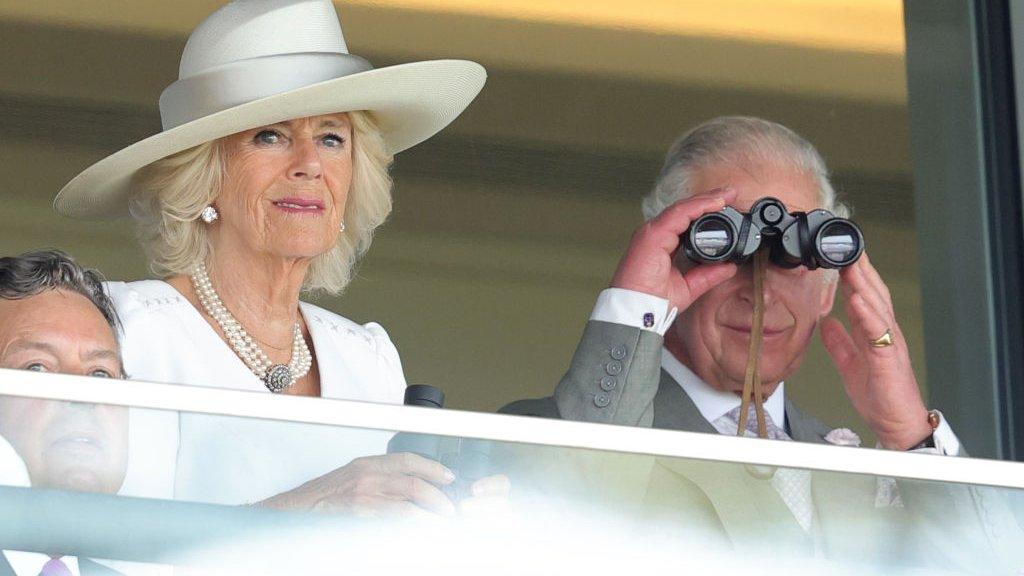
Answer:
(713, 337)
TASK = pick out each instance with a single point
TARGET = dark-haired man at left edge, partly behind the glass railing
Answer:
(55, 317)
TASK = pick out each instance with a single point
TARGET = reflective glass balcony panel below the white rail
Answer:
(635, 512)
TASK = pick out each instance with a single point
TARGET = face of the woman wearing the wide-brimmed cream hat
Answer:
(285, 188)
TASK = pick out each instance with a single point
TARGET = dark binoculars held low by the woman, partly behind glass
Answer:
(468, 459)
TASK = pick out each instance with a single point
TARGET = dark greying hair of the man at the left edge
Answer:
(33, 273)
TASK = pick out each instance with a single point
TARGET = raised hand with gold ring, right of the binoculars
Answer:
(880, 382)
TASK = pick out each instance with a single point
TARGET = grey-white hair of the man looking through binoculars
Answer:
(737, 139)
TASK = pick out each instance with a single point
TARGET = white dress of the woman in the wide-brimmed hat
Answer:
(233, 461)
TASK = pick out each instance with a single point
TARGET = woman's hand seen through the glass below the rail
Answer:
(404, 485)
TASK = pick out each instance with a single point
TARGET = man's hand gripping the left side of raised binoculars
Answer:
(649, 265)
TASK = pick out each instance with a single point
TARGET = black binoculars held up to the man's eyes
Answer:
(816, 239)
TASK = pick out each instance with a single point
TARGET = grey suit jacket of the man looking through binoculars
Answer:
(616, 379)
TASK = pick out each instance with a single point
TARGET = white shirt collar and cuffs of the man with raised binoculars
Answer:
(646, 312)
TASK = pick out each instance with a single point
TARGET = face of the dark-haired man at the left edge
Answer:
(64, 445)
